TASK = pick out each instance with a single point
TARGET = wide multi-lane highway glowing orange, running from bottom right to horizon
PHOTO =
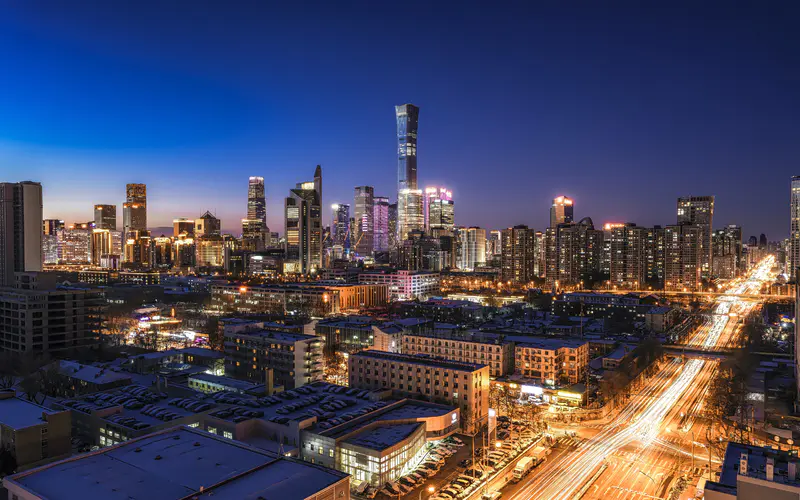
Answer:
(641, 451)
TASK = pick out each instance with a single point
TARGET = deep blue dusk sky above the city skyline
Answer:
(622, 107)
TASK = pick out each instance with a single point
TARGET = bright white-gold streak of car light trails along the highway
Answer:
(641, 419)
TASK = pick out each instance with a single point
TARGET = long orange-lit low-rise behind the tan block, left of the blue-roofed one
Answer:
(468, 347)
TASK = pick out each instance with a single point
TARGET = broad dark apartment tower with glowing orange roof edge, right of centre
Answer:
(628, 257)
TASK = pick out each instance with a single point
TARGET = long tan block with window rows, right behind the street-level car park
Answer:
(465, 385)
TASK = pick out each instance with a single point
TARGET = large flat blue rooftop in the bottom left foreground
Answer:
(174, 464)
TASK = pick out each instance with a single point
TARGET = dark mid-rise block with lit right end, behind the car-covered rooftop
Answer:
(294, 359)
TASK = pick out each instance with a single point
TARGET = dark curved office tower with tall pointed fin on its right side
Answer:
(303, 226)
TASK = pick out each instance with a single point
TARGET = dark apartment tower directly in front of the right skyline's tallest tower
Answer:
(682, 256)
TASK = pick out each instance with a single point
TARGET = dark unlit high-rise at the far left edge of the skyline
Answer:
(20, 229)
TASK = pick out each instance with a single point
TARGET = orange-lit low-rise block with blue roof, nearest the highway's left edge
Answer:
(552, 361)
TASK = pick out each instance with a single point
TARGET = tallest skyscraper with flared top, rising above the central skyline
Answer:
(410, 214)
